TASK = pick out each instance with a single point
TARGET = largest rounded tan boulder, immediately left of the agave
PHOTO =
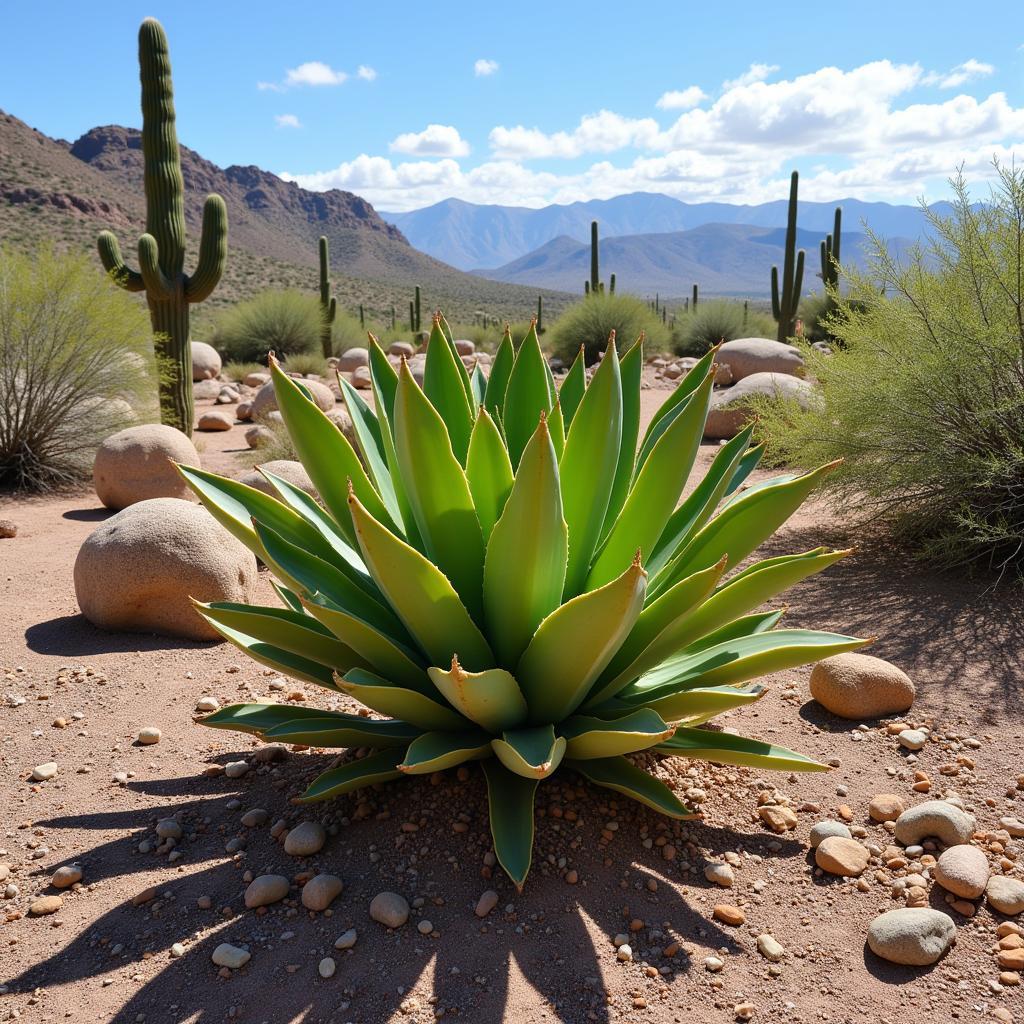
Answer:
(137, 572)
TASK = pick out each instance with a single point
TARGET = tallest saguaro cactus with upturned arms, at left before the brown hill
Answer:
(169, 291)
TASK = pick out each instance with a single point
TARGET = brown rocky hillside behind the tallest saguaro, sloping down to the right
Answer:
(70, 192)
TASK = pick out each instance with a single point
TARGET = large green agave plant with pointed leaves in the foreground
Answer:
(506, 576)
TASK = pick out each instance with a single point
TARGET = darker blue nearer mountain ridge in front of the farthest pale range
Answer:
(723, 260)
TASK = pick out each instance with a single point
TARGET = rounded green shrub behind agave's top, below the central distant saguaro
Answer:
(590, 321)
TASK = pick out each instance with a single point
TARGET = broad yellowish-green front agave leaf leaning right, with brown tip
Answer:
(575, 644)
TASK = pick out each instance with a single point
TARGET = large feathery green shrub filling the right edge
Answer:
(926, 401)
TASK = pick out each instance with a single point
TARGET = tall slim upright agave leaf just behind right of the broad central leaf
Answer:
(588, 466)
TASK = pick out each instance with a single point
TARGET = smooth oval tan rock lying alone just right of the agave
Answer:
(861, 687)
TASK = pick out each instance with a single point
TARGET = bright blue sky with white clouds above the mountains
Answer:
(531, 103)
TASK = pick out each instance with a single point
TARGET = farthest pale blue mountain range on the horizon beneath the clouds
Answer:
(472, 237)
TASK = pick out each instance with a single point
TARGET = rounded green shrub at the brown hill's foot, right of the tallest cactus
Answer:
(283, 322)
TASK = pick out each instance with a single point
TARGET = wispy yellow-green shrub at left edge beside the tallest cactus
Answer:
(76, 365)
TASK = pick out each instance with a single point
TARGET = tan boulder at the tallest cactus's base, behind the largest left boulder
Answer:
(138, 463)
